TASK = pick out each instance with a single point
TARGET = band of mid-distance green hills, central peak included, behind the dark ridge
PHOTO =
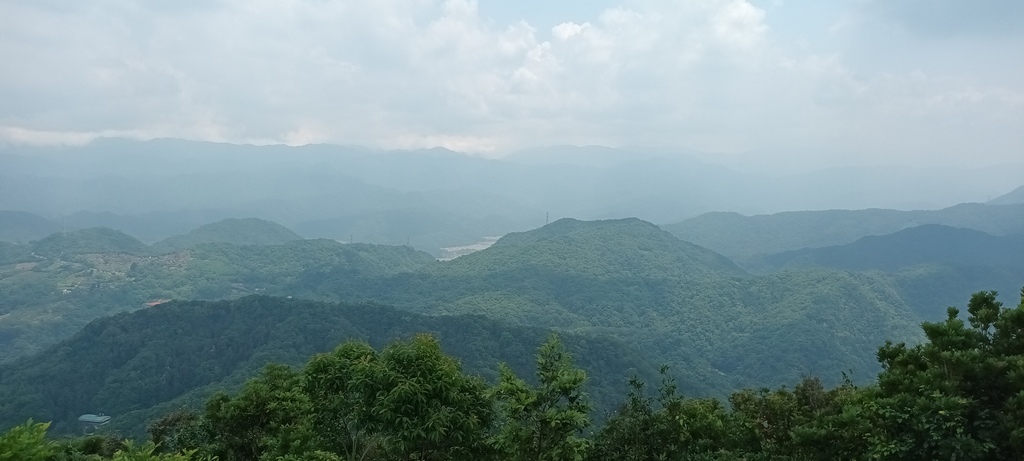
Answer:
(678, 303)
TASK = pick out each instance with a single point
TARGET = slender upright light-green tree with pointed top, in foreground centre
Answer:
(543, 424)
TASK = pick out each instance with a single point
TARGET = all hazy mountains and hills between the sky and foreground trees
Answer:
(284, 252)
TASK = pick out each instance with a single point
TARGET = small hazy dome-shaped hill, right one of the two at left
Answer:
(234, 231)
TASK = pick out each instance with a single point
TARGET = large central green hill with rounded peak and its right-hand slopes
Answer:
(680, 304)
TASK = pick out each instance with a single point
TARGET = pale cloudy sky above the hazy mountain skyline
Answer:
(839, 81)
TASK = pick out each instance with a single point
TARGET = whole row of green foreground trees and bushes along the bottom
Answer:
(958, 396)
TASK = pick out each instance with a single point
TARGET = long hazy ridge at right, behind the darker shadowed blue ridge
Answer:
(742, 237)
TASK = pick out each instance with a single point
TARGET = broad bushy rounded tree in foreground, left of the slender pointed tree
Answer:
(411, 400)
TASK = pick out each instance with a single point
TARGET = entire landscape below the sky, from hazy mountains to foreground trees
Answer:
(178, 301)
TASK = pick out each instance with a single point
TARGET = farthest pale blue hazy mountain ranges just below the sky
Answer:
(434, 198)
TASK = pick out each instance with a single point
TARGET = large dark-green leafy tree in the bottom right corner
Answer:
(960, 395)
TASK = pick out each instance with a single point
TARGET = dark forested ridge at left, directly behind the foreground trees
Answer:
(141, 366)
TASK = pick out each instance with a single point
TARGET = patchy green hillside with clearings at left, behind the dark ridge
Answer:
(50, 299)
